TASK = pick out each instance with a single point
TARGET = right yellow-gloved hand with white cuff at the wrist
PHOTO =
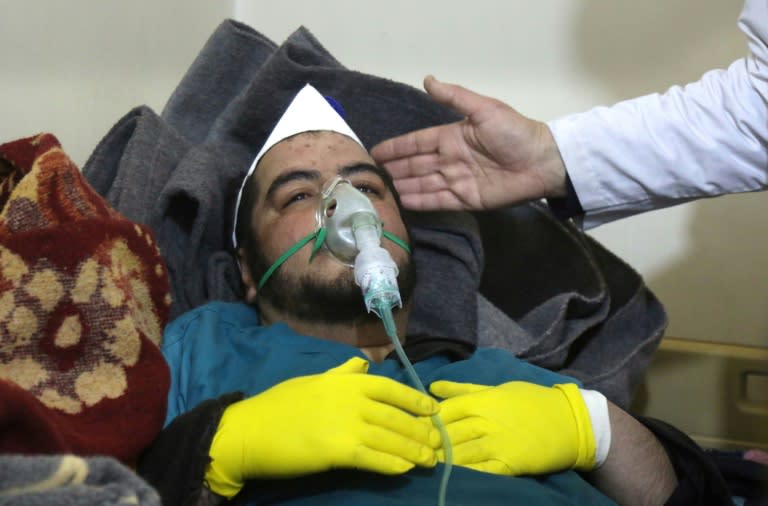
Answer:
(519, 428)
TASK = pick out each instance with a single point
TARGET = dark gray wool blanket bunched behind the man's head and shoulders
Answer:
(516, 278)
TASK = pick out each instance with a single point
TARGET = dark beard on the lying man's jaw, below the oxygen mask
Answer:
(328, 301)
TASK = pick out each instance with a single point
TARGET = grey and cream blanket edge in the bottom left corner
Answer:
(69, 480)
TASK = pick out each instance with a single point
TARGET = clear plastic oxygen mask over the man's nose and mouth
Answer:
(353, 236)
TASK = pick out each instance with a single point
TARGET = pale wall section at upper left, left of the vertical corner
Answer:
(74, 68)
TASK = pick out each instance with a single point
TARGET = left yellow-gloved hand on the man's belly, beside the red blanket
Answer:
(342, 418)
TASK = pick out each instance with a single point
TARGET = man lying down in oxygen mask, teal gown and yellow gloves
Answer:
(295, 396)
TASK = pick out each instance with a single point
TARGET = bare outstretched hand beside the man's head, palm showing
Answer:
(493, 158)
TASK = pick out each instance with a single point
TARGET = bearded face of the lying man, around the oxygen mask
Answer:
(289, 180)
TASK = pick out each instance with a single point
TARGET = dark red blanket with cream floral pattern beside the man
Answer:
(83, 301)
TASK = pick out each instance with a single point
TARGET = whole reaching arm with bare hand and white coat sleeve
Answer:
(708, 138)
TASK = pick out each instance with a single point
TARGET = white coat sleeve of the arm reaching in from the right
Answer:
(705, 139)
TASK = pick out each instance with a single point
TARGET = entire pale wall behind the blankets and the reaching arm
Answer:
(73, 68)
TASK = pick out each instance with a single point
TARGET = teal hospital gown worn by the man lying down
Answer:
(222, 347)
